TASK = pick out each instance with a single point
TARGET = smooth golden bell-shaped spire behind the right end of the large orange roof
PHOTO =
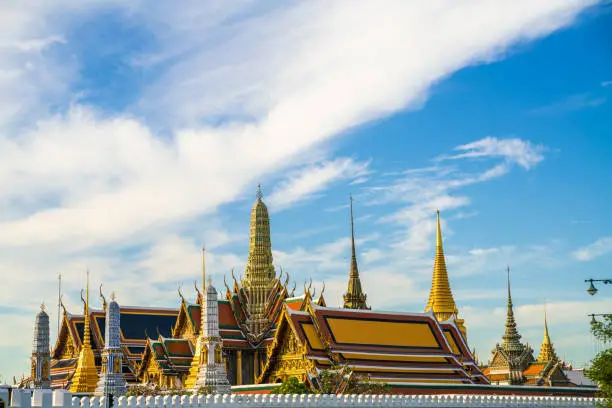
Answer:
(441, 300)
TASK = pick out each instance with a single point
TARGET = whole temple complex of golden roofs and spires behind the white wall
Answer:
(261, 332)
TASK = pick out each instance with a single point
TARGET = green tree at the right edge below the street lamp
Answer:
(601, 366)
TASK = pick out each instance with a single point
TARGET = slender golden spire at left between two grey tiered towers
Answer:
(86, 376)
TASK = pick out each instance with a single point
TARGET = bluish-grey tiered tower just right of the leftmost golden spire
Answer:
(111, 380)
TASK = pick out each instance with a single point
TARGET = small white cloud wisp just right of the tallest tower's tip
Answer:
(306, 182)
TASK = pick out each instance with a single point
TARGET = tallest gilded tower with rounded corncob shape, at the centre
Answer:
(260, 276)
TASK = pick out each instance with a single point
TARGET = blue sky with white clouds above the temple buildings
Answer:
(129, 135)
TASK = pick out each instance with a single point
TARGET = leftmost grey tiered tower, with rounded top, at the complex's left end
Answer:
(41, 355)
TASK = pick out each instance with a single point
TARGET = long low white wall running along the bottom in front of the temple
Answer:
(64, 399)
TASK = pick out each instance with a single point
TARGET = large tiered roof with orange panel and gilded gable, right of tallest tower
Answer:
(389, 346)
